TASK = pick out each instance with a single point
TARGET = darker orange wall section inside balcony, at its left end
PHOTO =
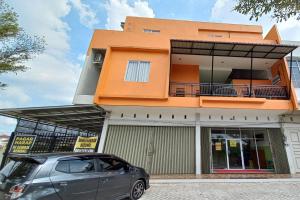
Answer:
(185, 74)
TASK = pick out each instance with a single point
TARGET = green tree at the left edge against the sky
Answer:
(16, 46)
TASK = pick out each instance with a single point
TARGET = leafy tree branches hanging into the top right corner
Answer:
(281, 10)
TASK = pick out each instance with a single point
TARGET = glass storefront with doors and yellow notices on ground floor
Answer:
(241, 148)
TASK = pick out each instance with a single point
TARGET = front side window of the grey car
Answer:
(112, 164)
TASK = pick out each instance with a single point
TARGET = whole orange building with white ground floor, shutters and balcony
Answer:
(184, 97)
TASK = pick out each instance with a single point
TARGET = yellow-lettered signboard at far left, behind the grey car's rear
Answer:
(22, 144)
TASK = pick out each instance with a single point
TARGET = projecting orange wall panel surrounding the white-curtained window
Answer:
(113, 84)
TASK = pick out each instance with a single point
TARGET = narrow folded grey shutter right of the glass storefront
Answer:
(278, 151)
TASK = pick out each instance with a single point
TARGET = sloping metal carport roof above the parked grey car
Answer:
(84, 117)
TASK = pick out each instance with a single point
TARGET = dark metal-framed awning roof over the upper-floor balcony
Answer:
(231, 49)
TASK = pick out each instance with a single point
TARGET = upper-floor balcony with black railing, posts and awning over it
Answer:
(229, 69)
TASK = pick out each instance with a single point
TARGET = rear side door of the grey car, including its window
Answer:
(76, 179)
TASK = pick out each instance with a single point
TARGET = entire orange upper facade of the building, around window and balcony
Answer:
(133, 43)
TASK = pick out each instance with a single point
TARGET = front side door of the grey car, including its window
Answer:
(115, 178)
